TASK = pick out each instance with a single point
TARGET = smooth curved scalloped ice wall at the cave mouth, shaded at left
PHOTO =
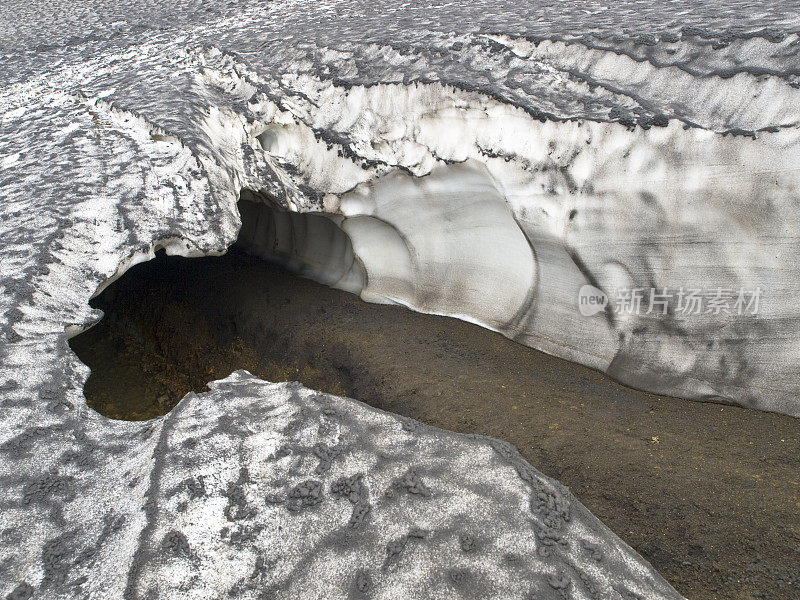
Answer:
(446, 244)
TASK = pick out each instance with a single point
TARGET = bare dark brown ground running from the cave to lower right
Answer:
(709, 494)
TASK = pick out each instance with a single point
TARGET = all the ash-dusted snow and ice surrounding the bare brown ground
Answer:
(602, 132)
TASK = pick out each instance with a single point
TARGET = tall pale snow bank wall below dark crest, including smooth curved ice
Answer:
(496, 217)
